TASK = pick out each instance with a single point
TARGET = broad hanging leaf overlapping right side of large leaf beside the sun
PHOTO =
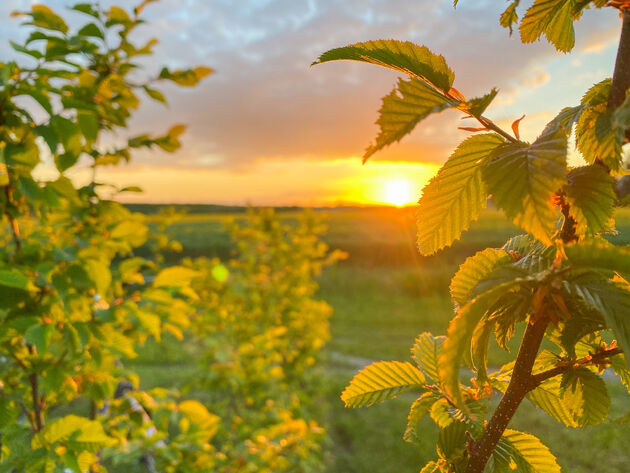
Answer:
(523, 178)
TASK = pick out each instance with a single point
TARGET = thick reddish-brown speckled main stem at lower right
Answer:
(520, 385)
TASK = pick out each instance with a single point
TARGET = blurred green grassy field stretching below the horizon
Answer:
(383, 296)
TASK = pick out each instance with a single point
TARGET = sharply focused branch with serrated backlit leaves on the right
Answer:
(561, 280)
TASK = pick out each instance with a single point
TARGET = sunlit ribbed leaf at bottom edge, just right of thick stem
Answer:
(527, 452)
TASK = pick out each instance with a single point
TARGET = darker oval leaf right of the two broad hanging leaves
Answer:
(591, 197)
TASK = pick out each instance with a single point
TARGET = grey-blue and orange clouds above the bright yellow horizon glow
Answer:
(266, 104)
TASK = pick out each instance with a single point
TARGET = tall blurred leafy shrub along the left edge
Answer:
(76, 300)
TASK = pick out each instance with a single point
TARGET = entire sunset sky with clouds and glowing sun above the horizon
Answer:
(268, 129)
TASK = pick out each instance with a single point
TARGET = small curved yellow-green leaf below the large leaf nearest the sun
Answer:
(474, 270)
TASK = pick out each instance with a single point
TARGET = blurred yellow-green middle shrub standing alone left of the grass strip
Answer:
(259, 330)
